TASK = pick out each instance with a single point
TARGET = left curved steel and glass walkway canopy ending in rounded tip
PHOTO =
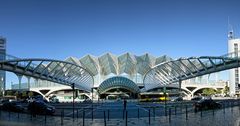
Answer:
(57, 71)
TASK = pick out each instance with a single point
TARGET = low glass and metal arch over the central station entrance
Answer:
(118, 82)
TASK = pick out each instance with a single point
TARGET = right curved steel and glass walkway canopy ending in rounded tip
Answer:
(186, 68)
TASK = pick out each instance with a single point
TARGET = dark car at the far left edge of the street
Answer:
(14, 106)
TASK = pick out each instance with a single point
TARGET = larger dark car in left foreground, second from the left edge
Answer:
(40, 107)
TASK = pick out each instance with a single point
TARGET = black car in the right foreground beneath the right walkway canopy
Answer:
(205, 104)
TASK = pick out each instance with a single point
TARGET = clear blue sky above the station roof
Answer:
(58, 29)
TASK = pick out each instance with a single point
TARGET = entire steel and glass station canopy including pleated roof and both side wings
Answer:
(126, 71)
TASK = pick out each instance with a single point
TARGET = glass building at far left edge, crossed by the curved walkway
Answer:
(2, 57)
